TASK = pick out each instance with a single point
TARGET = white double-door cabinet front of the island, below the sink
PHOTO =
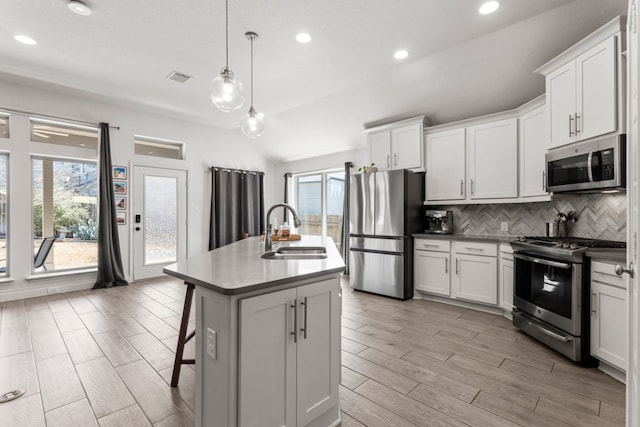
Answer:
(289, 363)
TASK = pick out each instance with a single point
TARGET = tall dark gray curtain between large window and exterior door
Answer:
(110, 271)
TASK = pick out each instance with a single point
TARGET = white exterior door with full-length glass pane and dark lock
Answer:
(159, 219)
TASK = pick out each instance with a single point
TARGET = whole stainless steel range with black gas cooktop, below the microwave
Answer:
(551, 295)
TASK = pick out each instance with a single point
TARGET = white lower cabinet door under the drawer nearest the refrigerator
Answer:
(432, 272)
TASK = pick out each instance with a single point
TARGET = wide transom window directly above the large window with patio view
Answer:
(63, 134)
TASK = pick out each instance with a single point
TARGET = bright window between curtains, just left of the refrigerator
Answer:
(319, 199)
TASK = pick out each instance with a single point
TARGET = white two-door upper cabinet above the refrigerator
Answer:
(398, 145)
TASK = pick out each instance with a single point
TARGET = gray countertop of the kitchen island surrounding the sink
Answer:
(237, 268)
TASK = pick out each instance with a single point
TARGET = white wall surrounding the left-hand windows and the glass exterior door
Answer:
(205, 146)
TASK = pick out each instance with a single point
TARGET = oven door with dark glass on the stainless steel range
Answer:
(549, 290)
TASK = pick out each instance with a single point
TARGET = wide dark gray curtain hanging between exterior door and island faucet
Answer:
(237, 205)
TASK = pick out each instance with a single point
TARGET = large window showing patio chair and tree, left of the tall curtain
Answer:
(65, 197)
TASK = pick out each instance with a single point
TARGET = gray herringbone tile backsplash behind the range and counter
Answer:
(600, 216)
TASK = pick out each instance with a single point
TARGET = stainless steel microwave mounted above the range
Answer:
(588, 166)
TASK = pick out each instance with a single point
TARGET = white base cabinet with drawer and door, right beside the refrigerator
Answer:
(432, 266)
